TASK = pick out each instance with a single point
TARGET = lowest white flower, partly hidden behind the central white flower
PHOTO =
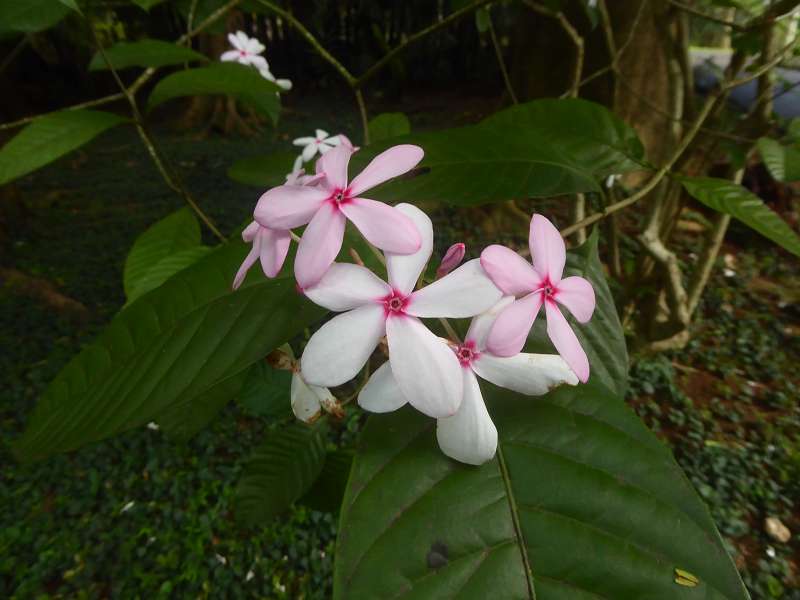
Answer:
(469, 435)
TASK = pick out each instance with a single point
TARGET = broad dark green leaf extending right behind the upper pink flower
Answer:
(542, 148)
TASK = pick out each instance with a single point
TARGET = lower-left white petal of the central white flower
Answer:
(338, 350)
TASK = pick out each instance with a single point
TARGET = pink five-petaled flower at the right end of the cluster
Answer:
(539, 284)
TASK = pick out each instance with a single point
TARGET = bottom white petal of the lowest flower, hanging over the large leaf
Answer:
(469, 436)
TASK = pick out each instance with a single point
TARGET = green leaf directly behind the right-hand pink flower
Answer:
(602, 338)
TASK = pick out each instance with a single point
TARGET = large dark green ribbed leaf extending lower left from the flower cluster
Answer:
(165, 350)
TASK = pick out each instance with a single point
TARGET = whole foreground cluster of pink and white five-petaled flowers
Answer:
(501, 292)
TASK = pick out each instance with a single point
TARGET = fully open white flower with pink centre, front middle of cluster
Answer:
(426, 370)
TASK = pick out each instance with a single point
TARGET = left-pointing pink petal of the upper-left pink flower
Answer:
(288, 206)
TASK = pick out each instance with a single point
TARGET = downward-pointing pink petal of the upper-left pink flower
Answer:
(319, 245)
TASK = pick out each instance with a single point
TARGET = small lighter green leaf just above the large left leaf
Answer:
(175, 233)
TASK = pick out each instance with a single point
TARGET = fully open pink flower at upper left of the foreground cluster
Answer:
(327, 206)
